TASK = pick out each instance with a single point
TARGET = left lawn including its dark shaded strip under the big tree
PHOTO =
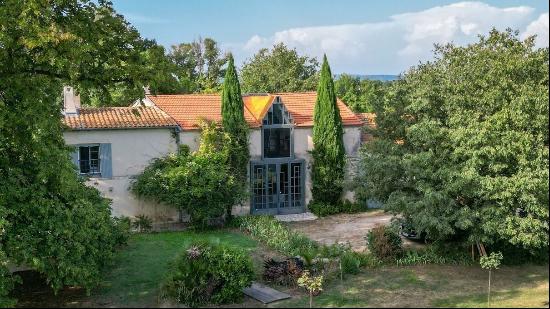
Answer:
(138, 270)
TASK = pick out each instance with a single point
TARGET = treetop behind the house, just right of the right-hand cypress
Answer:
(360, 95)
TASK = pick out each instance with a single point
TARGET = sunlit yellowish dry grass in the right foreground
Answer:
(434, 286)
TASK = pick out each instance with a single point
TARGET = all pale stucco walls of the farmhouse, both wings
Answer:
(134, 149)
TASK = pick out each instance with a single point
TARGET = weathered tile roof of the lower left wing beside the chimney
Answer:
(119, 118)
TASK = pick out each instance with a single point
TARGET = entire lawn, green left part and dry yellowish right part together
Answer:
(139, 268)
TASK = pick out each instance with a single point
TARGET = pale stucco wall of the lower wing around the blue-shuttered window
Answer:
(132, 150)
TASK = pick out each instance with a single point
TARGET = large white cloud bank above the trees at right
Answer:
(404, 40)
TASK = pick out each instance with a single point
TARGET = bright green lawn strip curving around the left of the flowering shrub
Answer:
(141, 266)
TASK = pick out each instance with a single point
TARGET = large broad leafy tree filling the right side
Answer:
(461, 144)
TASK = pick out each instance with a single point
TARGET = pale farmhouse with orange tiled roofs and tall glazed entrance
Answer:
(116, 143)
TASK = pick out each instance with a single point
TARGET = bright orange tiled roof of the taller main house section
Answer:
(188, 109)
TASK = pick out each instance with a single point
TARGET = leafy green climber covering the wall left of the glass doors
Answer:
(199, 183)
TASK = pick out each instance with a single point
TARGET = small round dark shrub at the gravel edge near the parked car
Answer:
(385, 243)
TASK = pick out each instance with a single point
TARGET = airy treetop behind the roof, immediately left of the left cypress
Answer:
(198, 65)
